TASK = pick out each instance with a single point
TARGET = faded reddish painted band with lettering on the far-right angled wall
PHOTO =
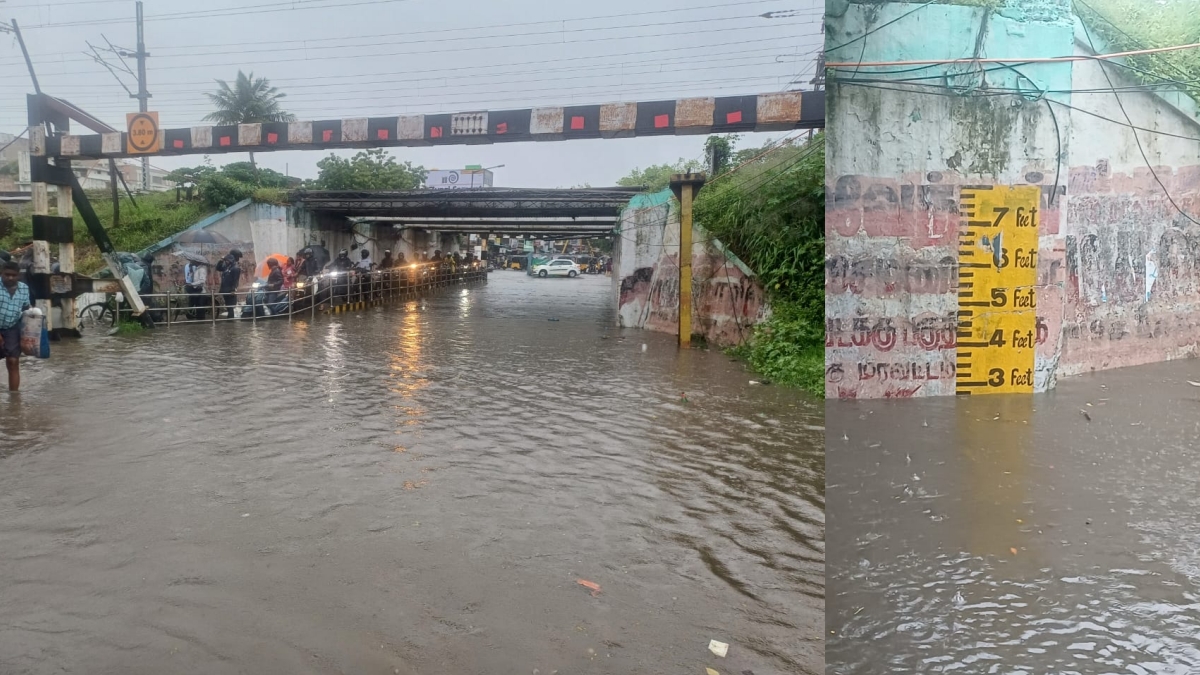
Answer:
(1132, 268)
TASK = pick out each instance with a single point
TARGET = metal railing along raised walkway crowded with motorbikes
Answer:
(329, 292)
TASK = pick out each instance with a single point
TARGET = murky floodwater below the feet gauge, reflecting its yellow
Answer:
(1055, 534)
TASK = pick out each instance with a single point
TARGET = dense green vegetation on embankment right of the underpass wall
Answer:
(771, 214)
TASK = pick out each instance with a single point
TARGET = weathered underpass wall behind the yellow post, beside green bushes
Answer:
(728, 300)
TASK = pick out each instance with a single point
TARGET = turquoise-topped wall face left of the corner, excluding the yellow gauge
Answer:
(897, 164)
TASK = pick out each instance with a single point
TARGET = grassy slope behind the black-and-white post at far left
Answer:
(157, 218)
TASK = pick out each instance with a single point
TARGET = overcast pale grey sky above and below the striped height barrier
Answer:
(361, 58)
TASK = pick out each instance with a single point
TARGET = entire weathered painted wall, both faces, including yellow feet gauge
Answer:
(1113, 277)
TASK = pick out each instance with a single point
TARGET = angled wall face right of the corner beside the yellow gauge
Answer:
(1132, 260)
